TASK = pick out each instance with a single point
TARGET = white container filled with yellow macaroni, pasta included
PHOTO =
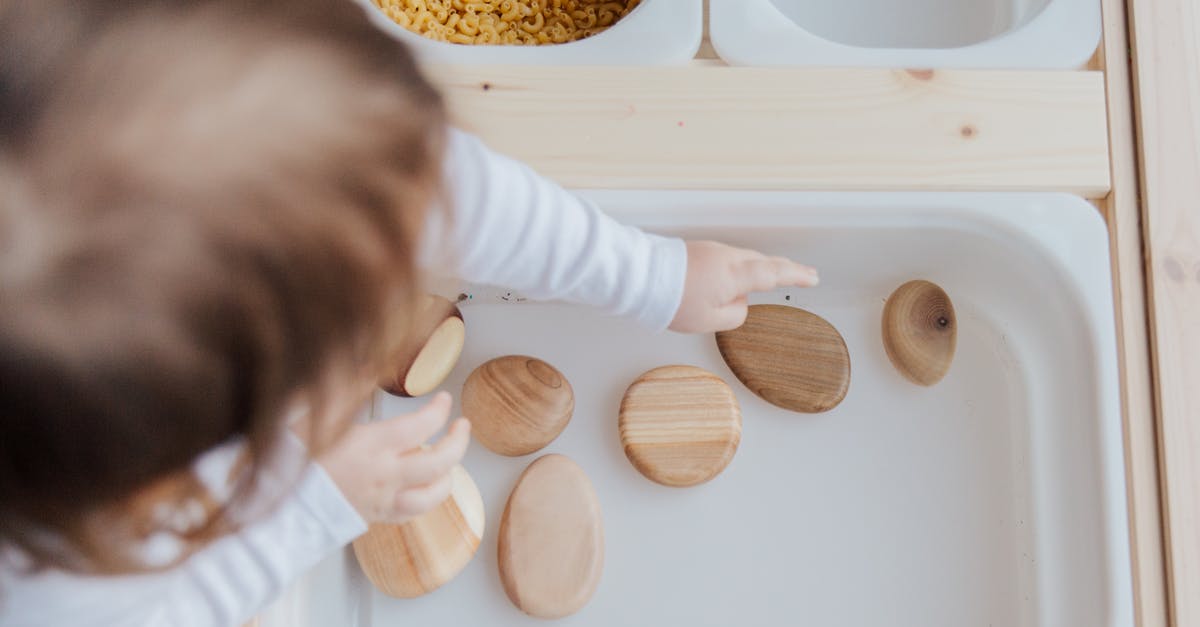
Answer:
(544, 32)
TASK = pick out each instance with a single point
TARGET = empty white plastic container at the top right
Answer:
(983, 34)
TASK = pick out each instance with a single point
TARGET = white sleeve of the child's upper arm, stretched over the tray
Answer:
(514, 229)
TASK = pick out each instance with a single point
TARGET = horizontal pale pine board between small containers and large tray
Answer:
(791, 129)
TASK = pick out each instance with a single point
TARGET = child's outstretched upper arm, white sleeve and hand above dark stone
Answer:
(514, 229)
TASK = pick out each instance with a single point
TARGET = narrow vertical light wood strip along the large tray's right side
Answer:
(1123, 211)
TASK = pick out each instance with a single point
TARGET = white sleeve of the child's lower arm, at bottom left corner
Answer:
(223, 586)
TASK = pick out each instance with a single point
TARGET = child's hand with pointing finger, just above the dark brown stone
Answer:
(719, 278)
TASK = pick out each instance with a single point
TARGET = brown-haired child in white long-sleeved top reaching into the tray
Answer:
(213, 217)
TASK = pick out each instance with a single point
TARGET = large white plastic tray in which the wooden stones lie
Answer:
(995, 498)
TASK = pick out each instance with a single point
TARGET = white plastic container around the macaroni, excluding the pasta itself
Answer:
(656, 33)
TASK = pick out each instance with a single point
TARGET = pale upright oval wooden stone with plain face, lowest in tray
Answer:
(551, 540)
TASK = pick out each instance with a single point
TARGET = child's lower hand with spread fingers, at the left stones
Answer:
(386, 473)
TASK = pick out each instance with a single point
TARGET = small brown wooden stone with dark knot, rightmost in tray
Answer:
(921, 332)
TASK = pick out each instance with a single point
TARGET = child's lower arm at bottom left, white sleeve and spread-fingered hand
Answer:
(377, 473)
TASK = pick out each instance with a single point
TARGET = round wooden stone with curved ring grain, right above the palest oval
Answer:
(517, 404)
